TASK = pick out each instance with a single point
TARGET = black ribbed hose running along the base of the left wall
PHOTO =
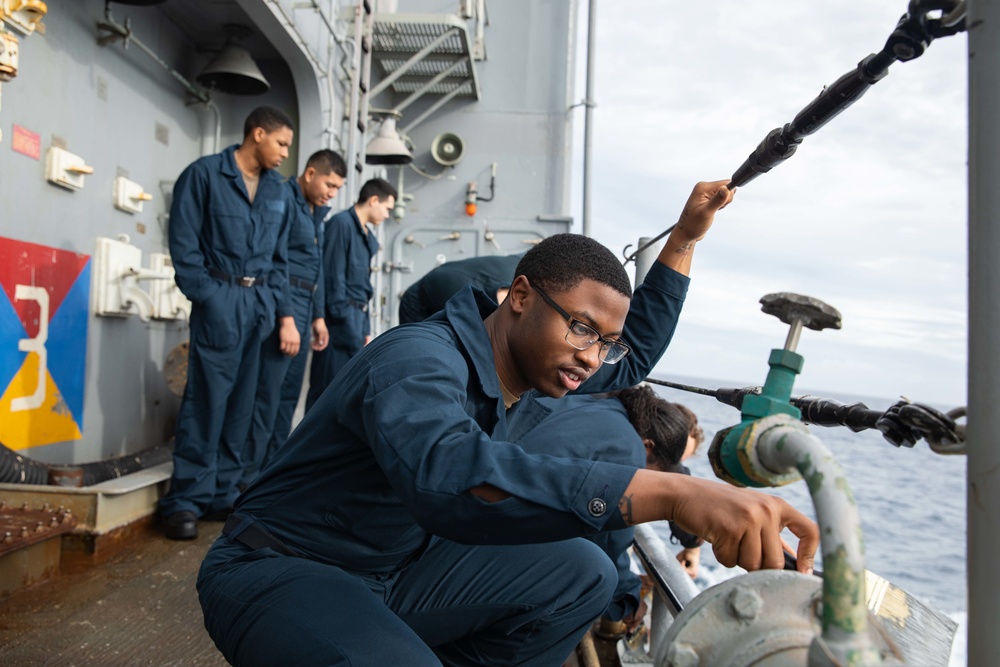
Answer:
(18, 469)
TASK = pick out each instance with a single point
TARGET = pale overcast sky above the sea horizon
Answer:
(869, 215)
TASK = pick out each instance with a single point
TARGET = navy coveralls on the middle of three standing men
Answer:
(280, 380)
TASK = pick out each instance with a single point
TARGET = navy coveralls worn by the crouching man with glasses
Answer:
(382, 555)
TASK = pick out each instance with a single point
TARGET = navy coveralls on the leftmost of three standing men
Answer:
(229, 259)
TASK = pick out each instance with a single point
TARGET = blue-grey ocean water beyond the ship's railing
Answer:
(911, 501)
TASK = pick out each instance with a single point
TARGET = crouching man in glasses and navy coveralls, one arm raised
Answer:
(399, 524)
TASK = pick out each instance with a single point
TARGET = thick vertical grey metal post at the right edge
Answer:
(984, 335)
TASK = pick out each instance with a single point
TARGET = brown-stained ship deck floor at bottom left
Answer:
(138, 607)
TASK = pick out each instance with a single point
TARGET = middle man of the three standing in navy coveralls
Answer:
(284, 353)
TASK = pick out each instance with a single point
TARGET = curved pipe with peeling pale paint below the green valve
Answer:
(778, 445)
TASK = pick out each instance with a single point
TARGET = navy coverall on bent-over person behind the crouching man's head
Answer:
(429, 294)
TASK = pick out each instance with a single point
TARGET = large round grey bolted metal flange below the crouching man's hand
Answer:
(768, 618)
